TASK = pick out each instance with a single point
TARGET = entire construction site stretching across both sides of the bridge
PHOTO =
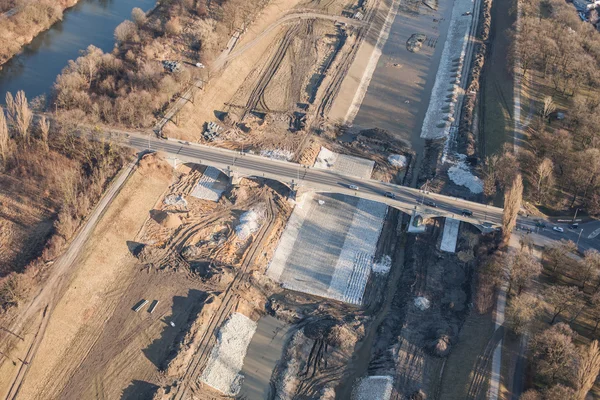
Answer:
(195, 285)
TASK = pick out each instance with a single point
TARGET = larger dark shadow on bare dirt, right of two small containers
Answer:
(184, 310)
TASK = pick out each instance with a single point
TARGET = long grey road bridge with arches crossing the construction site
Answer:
(301, 178)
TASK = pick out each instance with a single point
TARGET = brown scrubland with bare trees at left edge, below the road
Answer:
(51, 160)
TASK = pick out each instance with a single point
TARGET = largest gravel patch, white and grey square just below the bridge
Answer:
(328, 250)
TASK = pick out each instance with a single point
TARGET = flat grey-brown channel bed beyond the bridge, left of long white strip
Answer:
(400, 88)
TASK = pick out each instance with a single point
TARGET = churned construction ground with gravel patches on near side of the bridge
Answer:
(197, 288)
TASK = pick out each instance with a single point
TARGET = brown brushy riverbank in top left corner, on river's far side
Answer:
(21, 25)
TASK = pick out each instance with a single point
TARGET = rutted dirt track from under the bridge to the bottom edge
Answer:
(230, 297)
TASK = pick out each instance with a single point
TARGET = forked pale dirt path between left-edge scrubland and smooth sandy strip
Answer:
(54, 287)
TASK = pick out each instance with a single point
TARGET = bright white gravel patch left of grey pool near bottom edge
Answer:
(227, 356)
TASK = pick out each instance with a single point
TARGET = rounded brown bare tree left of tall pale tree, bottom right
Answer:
(554, 352)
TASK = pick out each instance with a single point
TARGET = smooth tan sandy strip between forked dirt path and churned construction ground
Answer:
(91, 298)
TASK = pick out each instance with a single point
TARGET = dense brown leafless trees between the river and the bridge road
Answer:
(129, 86)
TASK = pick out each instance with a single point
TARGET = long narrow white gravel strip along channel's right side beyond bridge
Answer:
(446, 89)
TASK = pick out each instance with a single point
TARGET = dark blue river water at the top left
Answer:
(34, 70)
